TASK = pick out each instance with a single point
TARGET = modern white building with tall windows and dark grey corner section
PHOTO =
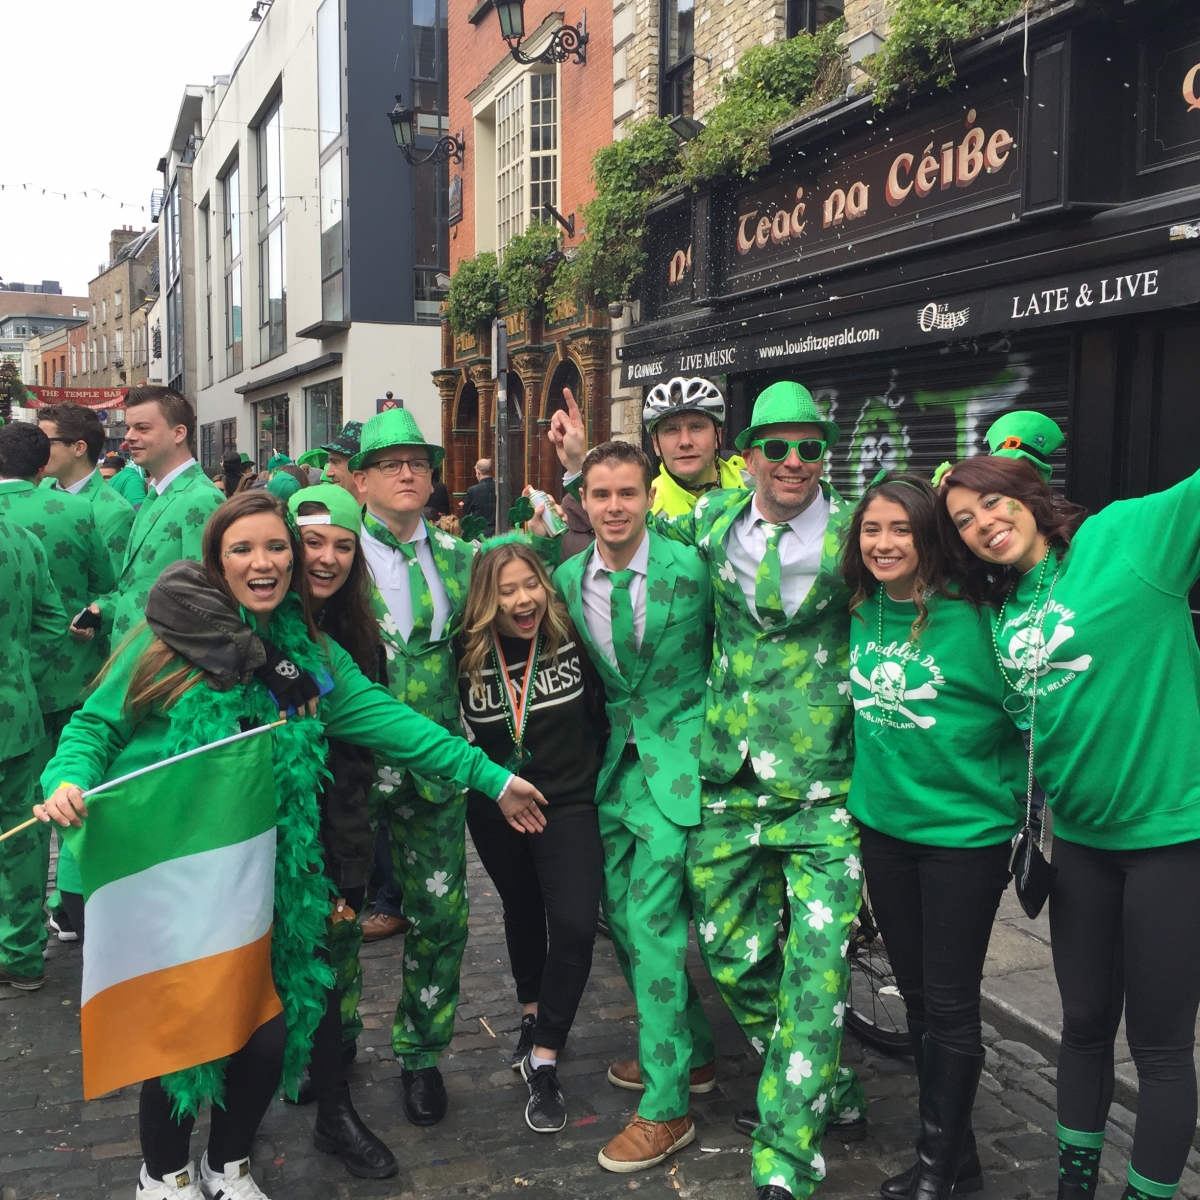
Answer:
(299, 250)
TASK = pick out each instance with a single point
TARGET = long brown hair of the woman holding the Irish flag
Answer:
(149, 686)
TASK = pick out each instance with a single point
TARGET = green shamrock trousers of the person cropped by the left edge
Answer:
(25, 862)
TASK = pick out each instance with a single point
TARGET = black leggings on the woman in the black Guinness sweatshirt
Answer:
(548, 881)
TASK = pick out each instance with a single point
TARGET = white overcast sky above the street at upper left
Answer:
(89, 93)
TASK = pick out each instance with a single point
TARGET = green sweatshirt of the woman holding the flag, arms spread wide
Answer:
(104, 741)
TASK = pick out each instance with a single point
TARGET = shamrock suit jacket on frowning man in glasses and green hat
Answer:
(422, 673)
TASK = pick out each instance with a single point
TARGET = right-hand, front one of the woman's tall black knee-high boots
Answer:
(949, 1084)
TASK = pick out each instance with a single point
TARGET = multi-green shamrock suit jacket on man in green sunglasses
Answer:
(779, 697)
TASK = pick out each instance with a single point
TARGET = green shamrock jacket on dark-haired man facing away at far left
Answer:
(81, 568)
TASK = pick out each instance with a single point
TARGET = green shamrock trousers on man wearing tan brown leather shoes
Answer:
(646, 902)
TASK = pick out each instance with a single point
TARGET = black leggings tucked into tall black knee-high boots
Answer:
(935, 908)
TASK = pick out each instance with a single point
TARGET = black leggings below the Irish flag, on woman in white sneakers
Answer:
(253, 1076)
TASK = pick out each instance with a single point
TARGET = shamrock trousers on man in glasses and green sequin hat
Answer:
(429, 860)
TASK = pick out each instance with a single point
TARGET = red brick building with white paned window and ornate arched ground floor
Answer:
(531, 133)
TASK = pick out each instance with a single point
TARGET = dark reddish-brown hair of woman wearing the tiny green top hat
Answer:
(1058, 519)
